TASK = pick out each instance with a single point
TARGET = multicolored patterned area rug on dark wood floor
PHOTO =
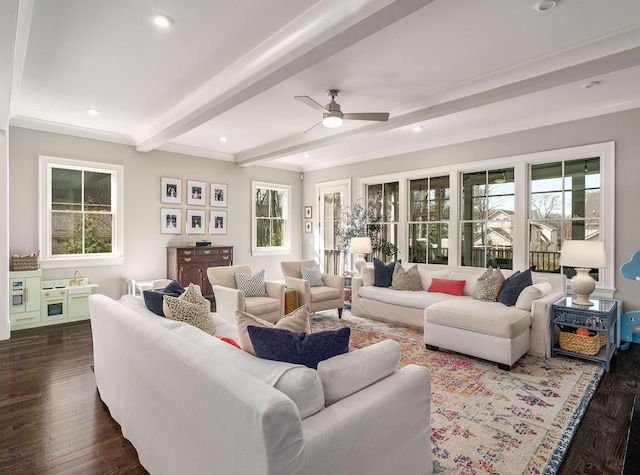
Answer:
(485, 420)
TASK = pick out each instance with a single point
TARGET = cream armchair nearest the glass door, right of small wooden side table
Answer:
(326, 297)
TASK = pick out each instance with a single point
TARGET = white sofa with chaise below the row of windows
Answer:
(442, 315)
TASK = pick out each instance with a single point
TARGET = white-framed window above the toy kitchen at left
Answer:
(80, 222)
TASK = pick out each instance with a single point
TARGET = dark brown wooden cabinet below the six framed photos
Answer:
(190, 264)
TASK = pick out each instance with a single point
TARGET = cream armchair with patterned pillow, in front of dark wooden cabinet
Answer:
(229, 298)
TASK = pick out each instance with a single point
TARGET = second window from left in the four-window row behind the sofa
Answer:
(428, 232)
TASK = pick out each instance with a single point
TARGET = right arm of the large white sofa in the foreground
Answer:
(356, 430)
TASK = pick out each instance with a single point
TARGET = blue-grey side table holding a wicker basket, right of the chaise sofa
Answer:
(602, 316)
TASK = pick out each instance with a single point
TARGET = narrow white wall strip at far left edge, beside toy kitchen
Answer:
(4, 236)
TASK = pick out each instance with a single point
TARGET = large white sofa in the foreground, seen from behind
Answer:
(192, 403)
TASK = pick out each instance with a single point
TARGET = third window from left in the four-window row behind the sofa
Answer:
(488, 204)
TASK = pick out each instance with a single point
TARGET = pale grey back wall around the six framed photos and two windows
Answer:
(145, 246)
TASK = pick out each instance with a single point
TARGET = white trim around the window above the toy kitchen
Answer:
(48, 261)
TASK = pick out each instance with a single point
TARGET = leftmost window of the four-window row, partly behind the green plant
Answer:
(383, 201)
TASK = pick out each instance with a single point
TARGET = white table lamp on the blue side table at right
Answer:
(584, 256)
